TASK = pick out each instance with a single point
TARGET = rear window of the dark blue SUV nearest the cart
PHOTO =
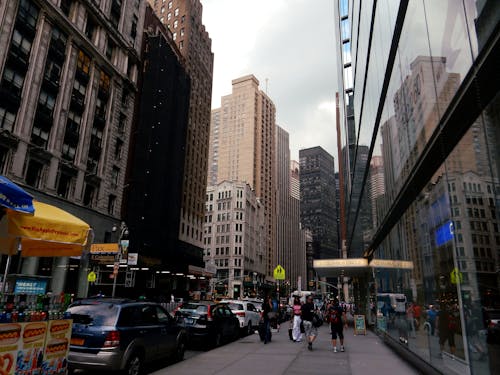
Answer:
(99, 314)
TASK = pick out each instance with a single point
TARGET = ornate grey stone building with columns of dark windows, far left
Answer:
(68, 83)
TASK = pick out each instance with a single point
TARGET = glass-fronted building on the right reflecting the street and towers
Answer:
(418, 87)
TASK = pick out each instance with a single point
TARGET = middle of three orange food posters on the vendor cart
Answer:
(30, 349)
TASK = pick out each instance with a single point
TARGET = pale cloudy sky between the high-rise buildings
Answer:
(291, 44)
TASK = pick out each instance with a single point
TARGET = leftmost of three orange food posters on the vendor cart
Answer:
(10, 338)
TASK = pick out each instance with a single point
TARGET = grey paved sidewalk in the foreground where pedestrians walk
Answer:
(364, 355)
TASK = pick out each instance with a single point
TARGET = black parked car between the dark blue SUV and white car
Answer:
(208, 322)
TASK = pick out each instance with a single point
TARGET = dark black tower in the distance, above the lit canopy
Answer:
(317, 200)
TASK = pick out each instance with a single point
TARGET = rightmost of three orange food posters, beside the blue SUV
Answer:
(56, 347)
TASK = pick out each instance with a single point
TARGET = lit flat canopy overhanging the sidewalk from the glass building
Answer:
(353, 267)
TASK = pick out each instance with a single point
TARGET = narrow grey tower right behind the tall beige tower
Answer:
(291, 250)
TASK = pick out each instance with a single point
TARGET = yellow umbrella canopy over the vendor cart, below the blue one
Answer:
(49, 232)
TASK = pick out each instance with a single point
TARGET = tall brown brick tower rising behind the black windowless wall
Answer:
(184, 19)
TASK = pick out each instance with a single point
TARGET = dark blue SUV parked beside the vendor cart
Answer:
(122, 334)
